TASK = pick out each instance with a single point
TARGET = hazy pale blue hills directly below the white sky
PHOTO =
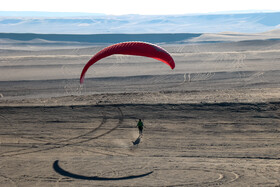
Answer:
(59, 23)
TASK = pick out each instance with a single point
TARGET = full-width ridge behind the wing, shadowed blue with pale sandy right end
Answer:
(23, 39)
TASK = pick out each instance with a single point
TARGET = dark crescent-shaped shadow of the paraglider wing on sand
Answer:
(65, 173)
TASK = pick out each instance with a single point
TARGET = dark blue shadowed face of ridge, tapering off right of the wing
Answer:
(21, 38)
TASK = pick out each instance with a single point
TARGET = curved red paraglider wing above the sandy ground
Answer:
(131, 48)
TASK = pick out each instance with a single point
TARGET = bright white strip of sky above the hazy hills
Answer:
(145, 7)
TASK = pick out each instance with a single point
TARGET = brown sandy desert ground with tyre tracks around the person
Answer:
(213, 121)
